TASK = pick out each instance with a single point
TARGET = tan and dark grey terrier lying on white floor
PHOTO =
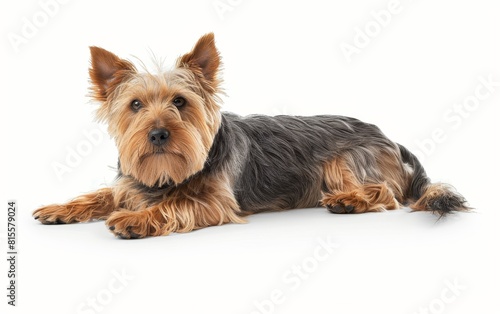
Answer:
(185, 165)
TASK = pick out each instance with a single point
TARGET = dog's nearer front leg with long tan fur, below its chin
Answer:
(203, 202)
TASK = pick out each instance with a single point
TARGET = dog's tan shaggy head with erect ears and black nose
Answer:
(163, 124)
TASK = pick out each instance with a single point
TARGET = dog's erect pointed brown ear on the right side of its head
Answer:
(203, 60)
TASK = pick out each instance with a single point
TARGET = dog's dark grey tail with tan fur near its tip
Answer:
(439, 198)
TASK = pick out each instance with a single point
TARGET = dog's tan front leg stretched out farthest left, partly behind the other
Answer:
(95, 205)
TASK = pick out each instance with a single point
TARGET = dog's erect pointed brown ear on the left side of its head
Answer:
(106, 72)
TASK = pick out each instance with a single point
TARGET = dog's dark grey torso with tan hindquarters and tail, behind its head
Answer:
(286, 162)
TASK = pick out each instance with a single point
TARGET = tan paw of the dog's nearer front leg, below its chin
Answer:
(129, 224)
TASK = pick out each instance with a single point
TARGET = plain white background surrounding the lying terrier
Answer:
(279, 57)
